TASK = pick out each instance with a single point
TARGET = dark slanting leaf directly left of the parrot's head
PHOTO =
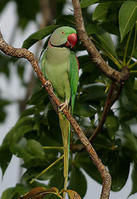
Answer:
(32, 39)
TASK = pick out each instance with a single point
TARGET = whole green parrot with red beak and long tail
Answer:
(60, 66)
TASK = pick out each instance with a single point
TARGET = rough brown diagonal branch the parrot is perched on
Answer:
(24, 53)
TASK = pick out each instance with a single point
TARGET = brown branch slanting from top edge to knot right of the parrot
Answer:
(93, 52)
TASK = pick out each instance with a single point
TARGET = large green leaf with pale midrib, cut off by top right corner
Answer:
(127, 17)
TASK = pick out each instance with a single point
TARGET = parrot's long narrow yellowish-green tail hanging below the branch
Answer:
(65, 129)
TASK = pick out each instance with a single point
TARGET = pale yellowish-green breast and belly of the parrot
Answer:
(57, 69)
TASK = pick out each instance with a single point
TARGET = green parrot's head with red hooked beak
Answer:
(64, 37)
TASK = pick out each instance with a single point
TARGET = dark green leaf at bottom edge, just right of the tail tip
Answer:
(78, 181)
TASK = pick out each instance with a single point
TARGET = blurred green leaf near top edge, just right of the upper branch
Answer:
(101, 11)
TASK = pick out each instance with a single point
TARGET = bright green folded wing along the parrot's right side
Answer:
(74, 77)
